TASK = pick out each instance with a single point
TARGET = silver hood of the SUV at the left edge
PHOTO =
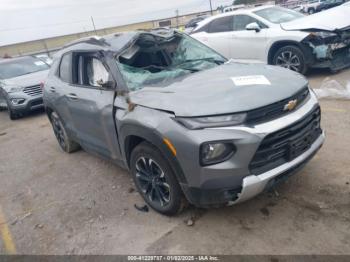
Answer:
(26, 80)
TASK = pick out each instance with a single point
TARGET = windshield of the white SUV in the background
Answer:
(278, 15)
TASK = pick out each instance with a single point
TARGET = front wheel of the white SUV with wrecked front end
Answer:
(290, 57)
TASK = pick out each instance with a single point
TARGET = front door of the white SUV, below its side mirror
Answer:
(248, 44)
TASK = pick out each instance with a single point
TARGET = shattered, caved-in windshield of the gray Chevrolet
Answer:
(153, 61)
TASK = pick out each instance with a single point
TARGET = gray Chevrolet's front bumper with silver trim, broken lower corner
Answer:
(232, 181)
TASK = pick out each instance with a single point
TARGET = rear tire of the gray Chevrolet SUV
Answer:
(65, 142)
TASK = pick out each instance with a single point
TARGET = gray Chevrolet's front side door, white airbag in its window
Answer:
(91, 105)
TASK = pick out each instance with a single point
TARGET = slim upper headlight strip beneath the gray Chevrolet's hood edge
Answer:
(212, 121)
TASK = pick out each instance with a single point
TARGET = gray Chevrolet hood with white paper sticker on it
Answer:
(228, 88)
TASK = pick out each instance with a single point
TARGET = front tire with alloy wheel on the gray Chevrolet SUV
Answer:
(167, 200)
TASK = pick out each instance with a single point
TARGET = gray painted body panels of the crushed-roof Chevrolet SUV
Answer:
(91, 121)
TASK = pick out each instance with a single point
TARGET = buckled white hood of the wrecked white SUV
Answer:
(328, 20)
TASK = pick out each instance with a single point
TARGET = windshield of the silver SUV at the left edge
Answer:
(19, 61)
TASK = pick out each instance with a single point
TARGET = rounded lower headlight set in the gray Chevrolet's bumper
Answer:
(216, 152)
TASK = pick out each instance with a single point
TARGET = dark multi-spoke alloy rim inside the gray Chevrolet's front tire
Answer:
(152, 181)
